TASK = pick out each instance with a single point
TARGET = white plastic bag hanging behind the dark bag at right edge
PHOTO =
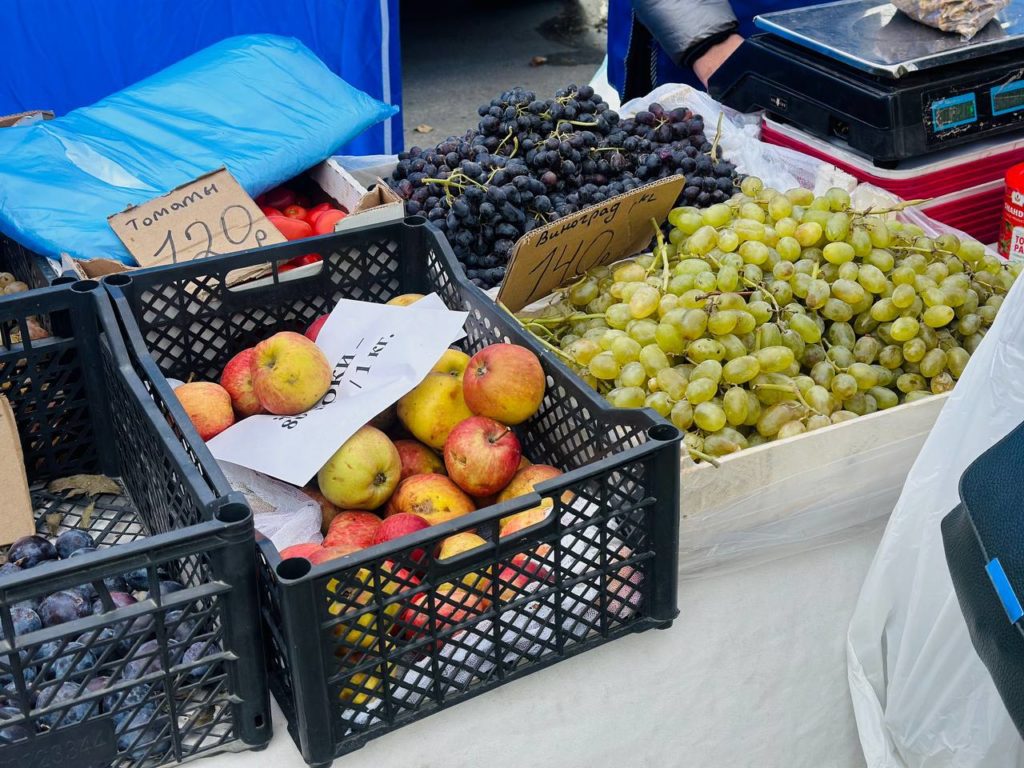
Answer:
(922, 697)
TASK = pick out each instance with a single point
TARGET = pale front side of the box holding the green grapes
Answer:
(798, 494)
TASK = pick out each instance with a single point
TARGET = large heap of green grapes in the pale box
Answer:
(777, 314)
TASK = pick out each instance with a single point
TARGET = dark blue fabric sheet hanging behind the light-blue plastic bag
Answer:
(63, 55)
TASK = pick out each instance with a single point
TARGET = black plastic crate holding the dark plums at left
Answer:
(116, 688)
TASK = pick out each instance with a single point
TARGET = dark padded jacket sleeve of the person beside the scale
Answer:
(686, 29)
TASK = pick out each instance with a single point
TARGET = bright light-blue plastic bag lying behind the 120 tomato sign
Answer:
(263, 106)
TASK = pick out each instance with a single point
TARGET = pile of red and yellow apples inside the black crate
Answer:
(454, 449)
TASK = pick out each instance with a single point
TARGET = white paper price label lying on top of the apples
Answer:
(379, 354)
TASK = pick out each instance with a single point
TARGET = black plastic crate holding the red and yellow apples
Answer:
(364, 645)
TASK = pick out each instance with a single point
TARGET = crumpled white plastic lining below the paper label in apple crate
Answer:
(281, 513)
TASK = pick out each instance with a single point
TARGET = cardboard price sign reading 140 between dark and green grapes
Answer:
(556, 254)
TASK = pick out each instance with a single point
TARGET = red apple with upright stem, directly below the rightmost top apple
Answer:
(482, 456)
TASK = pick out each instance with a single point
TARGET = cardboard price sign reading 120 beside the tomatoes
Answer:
(210, 217)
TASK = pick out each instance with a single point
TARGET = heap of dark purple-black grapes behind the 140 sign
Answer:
(533, 161)
